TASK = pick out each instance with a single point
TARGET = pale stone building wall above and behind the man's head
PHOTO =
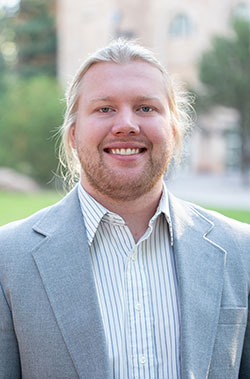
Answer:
(85, 26)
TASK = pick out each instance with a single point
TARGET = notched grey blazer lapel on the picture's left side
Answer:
(65, 268)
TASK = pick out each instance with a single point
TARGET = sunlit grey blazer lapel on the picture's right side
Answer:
(200, 268)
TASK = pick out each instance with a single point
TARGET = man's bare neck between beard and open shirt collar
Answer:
(136, 213)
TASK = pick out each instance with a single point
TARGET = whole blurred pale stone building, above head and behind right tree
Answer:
(178, 31)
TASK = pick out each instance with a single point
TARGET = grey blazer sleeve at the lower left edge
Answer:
(9, 354)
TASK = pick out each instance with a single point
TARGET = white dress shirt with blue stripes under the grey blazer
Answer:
(137, 291)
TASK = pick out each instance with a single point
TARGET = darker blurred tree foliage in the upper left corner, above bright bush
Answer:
(32, 32)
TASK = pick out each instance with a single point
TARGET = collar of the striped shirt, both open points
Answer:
(93, 213)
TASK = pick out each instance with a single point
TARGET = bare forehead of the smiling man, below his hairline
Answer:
(132, 76)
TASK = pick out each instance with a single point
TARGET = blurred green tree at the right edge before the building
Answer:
(225, 70)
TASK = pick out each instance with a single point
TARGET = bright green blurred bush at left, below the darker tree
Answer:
(30, 113)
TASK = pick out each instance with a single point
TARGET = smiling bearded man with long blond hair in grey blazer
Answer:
(121, 279)
